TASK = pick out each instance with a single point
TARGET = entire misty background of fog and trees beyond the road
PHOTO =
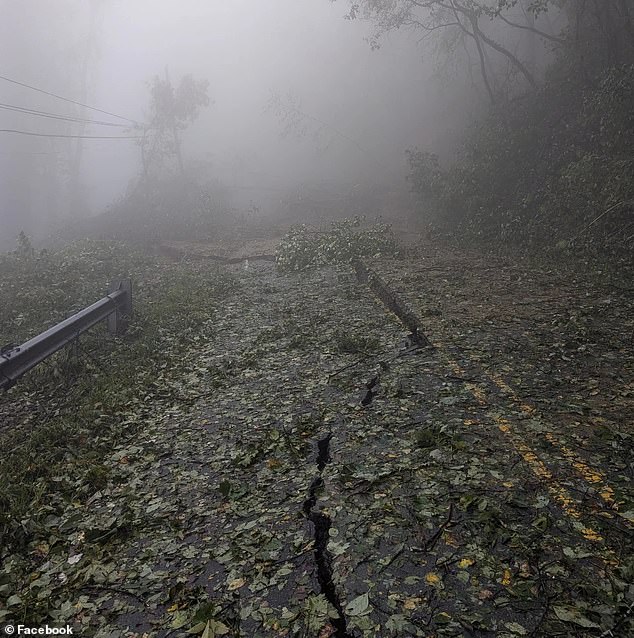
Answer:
(507, 121)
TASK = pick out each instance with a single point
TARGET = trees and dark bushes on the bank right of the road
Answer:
(549, 163)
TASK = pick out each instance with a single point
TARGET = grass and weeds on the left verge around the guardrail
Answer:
(59, 420)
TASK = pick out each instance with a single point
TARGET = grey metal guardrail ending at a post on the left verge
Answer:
(116, 307)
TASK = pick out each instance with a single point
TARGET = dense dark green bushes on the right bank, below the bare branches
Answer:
(542, 172)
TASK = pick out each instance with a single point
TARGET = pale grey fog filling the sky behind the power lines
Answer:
(360, 108)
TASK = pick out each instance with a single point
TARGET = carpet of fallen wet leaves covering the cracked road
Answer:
(199, 525)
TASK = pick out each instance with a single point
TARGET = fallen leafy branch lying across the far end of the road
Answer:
(343, 242)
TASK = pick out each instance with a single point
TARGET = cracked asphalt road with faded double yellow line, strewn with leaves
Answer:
(340, 479)
